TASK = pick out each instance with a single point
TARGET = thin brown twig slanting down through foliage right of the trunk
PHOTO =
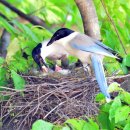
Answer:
(110, 19)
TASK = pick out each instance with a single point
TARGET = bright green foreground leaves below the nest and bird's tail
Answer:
(112, 116)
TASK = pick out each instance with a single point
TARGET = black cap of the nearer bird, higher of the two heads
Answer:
(61, 33)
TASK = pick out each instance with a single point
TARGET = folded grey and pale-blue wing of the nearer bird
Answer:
(86, 43)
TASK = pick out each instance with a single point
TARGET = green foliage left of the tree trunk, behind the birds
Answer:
(25, 36)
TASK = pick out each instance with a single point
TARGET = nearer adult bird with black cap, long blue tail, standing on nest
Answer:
(90, 51)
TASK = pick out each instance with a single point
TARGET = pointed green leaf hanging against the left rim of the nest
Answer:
(19, 82)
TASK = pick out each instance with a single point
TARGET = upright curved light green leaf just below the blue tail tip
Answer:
(115, 105)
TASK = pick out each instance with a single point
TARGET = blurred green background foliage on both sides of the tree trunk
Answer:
(25, 36)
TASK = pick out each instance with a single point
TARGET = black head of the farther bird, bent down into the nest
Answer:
(36, 54)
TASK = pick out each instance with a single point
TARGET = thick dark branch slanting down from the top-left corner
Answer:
(23, 15)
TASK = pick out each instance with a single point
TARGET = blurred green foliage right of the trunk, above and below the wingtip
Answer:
(119, 12)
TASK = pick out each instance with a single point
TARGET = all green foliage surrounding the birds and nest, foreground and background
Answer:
(114, 23)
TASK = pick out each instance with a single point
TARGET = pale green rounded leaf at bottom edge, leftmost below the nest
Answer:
(42, 125)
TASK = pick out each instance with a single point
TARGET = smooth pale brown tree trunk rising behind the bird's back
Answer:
(89, 18)
